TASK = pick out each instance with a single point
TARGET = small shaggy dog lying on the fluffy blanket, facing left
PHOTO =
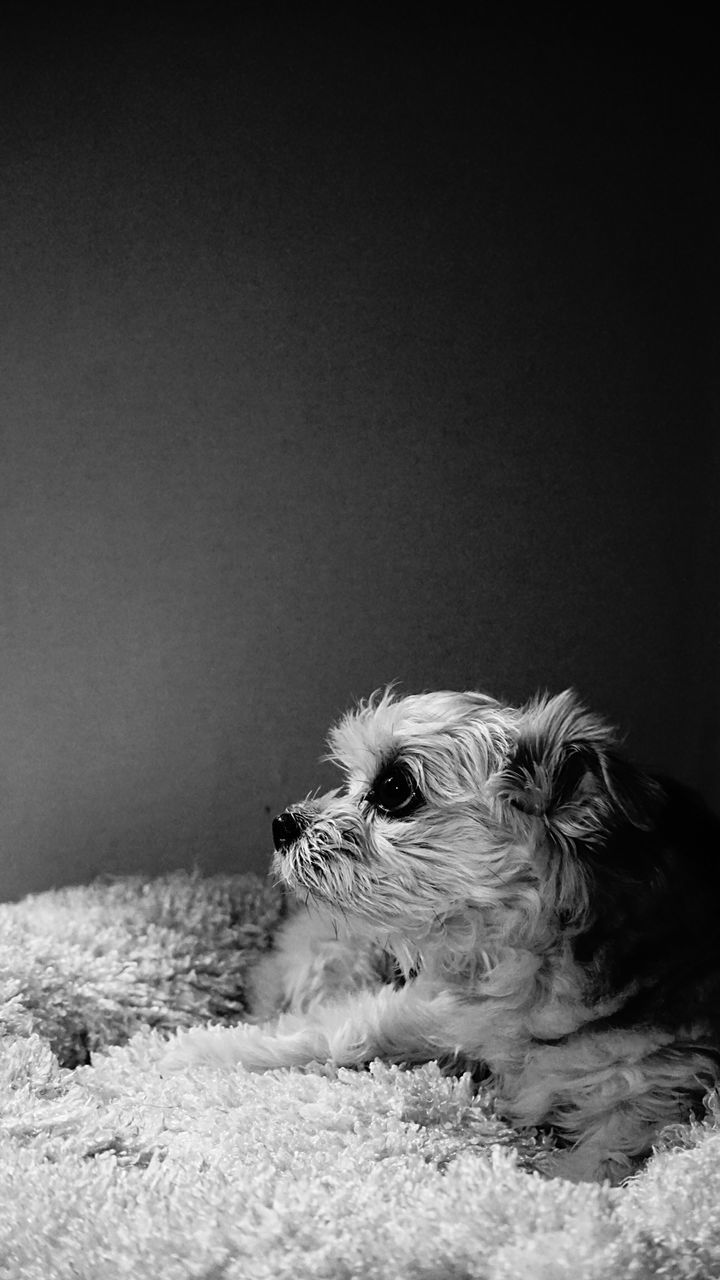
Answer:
(500, 890)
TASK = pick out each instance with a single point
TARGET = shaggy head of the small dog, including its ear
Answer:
(457, 808)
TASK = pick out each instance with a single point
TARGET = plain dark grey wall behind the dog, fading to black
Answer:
(331, 355)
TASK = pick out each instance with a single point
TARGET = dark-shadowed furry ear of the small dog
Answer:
(566, 770)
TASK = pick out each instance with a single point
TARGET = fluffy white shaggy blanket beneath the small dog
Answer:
(110, 1171)
